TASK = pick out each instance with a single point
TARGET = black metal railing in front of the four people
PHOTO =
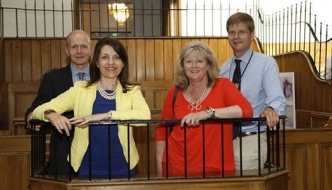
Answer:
(275, 159)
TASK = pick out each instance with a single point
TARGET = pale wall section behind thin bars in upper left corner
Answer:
(38, 23)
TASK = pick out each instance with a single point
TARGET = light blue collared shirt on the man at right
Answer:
(260, 84)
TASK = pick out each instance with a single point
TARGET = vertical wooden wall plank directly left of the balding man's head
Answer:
(56, 52)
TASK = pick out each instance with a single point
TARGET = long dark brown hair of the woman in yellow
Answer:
(121, 51)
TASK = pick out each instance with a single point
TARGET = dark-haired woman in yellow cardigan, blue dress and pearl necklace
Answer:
(108, 95)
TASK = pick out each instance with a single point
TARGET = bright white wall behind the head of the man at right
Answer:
(196, 22)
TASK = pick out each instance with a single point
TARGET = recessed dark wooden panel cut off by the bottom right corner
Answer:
(326, 165)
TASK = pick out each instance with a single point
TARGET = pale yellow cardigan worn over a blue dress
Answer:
(130, 105)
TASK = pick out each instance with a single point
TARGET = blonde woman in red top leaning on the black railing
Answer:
(202, 95)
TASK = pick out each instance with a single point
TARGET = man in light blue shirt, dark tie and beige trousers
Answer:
(259, 83)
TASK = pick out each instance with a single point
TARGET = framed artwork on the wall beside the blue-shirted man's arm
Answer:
(288, 88)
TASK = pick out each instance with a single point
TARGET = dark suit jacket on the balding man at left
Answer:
(54, 83)
